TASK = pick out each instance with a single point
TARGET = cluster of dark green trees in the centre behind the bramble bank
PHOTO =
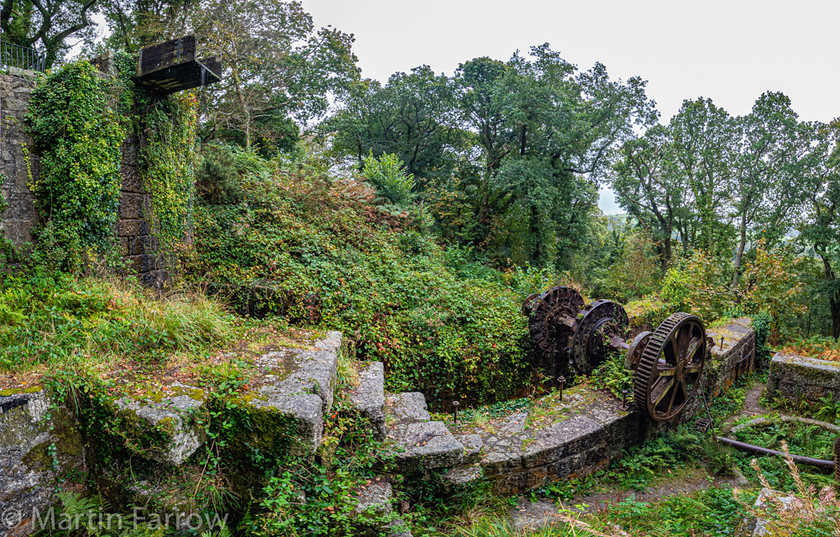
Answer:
(506, 154)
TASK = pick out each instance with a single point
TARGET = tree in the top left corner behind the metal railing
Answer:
(46, 25)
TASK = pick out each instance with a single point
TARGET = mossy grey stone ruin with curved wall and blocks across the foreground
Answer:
(552, 440)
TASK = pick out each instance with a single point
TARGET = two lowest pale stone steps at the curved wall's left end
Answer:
(418, 442)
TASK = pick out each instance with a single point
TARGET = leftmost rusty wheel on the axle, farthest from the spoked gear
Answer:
(546, 315)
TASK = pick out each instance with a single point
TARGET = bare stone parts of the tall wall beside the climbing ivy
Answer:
(139, 246)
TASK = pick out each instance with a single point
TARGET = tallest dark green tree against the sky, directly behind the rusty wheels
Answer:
(565, 125)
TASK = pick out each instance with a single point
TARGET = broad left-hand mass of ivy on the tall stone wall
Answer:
(78, 134)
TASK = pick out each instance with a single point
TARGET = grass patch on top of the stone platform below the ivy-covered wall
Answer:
(117, 330)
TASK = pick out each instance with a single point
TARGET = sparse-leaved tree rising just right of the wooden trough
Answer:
(275, 61)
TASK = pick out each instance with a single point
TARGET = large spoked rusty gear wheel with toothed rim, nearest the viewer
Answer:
(670, 367)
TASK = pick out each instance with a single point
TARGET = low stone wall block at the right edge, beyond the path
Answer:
(795, 378)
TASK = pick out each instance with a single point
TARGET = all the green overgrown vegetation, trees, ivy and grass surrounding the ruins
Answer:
(415, 219)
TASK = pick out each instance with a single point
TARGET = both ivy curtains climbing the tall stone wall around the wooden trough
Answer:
(78, 120)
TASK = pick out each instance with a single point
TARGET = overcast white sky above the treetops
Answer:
(730, 51)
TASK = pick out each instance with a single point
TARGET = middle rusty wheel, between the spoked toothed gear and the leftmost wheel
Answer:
(599, 322)
